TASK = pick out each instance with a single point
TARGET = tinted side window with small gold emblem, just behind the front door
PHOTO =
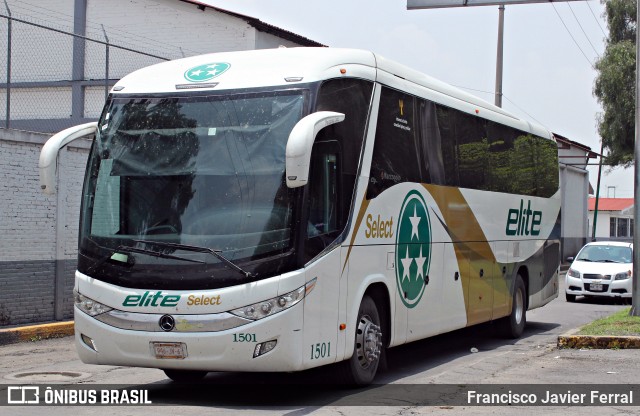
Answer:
(396, 152)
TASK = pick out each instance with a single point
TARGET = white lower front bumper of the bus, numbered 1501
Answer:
(227, 350)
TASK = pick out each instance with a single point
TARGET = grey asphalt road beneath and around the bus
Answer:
(466, 357)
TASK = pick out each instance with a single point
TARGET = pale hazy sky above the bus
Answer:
(549, 53)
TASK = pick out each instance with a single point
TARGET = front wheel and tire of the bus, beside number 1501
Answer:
(361, 368)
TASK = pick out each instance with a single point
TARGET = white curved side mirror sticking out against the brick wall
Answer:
(49, 153)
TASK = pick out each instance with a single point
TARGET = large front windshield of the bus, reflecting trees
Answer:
(205, 171)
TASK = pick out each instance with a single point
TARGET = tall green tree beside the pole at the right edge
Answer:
(615, 84)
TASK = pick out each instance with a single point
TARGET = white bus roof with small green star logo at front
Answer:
(290, 66)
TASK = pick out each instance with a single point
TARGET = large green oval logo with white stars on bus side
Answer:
(413, 249)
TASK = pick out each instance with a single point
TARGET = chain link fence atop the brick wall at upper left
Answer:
(52, 78)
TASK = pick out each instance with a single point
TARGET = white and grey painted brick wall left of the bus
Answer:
(38, 247)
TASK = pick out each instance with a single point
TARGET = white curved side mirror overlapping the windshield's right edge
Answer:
(300, 143)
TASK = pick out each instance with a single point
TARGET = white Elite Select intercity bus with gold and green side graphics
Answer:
(278, 210)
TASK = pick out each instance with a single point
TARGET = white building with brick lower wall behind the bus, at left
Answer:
(57, 63)
